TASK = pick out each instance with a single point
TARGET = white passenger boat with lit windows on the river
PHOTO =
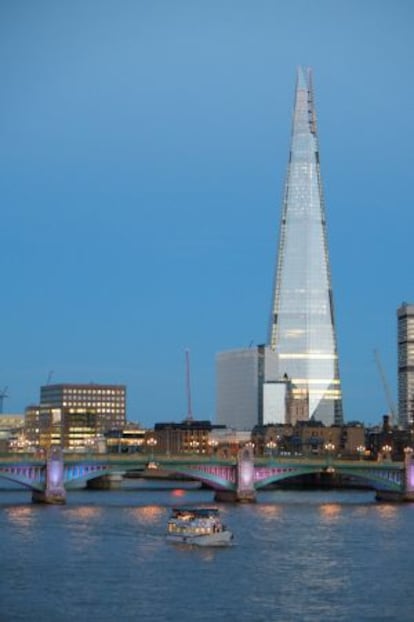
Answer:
(201, 526)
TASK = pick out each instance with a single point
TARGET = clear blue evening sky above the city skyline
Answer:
(143, 150)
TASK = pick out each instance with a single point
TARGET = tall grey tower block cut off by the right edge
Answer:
(405, 315)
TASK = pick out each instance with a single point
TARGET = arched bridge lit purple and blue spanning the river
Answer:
(232, 479)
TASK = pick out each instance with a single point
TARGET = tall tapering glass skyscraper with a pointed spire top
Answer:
(302, 327)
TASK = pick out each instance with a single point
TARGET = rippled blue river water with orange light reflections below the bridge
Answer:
(298, 556)
